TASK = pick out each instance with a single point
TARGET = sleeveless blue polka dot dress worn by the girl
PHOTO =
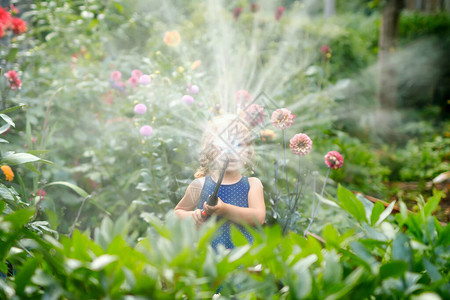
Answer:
(234, 194)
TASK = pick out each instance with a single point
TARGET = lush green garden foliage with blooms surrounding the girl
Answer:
(103, 106)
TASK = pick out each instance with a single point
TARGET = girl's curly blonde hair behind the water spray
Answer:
(217, 129)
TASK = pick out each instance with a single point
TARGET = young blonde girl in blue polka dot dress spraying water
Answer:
(241, 199)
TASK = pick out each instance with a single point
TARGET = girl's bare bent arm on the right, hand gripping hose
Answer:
(253, 215)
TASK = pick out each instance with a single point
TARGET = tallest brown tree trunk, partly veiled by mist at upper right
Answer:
(387, 72)
